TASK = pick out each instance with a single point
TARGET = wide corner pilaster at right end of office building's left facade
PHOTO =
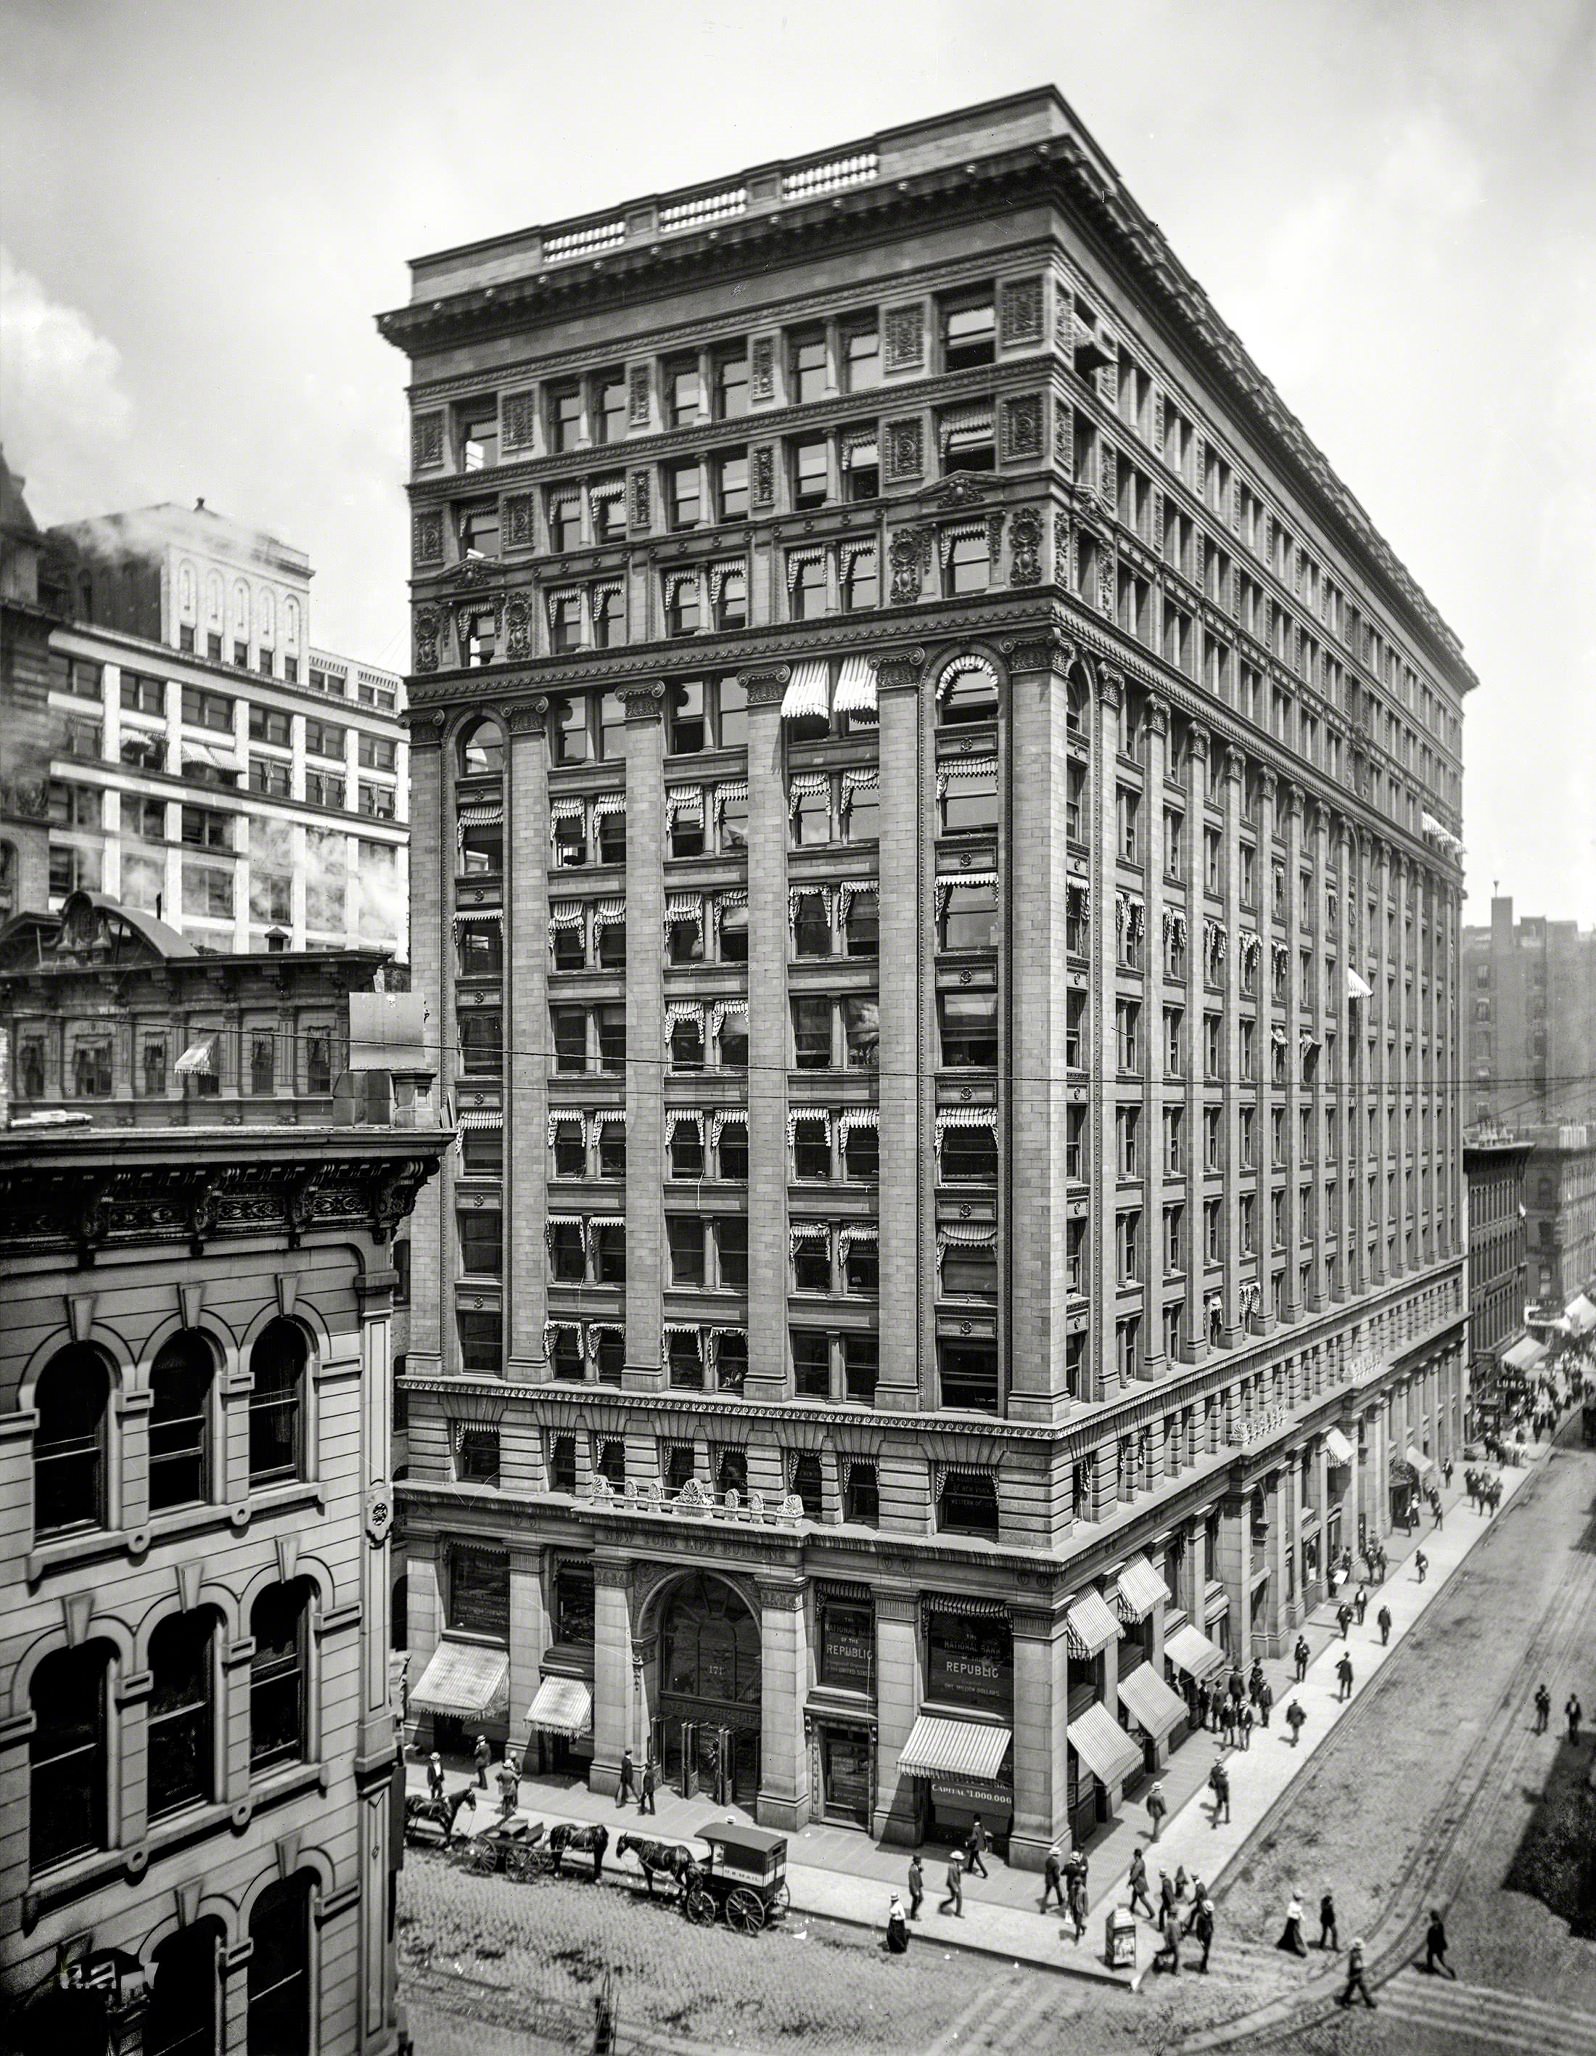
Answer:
(1036, 1196)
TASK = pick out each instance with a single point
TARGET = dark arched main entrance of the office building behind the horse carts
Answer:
(706, 1722)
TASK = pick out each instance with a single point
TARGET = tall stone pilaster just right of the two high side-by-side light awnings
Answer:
(908, 1159)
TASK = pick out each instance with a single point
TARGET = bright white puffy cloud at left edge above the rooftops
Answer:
(61, 396)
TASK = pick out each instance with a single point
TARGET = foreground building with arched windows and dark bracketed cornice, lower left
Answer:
(196, 1730)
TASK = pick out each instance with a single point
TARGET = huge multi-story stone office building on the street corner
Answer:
(941, 899)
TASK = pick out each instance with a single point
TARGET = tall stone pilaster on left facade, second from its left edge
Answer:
(525, 1039)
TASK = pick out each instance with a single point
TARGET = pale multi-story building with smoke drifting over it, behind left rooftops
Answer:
(184, 747)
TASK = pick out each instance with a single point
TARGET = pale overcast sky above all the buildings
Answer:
(1391, 200)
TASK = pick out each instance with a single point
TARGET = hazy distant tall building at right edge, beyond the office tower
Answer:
(1529, 1004)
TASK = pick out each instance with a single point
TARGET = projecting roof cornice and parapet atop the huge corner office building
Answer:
(1064, 166)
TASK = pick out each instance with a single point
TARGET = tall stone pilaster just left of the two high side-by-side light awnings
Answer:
(768, 1039)
